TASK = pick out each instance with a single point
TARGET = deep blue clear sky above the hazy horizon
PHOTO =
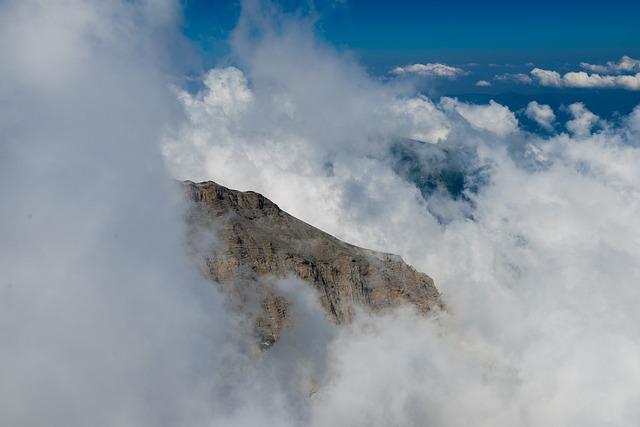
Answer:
(490, 30)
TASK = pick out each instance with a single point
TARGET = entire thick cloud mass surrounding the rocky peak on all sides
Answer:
(533, 241)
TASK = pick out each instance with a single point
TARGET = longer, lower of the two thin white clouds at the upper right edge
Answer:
(581, 79)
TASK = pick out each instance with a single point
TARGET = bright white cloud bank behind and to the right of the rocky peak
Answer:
(538, 262)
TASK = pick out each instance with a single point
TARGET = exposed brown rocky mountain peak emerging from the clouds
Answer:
(257, 242)
